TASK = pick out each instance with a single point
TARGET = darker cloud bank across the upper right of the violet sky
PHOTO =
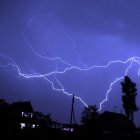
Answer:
(115, 17)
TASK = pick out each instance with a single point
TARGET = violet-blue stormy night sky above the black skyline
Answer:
(48, 49)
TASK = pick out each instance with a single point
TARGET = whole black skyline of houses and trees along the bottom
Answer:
(19, 119)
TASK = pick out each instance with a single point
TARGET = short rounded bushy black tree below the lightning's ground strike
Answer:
(89, 117)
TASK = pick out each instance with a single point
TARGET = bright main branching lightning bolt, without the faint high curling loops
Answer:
(11, 63)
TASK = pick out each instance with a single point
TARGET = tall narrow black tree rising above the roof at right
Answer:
(129, 98)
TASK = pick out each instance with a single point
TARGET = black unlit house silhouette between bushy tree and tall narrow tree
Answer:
(115, 123)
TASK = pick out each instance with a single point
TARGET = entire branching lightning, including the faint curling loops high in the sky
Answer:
(10, 63)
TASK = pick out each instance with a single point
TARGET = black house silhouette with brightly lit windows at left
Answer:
(21, 115)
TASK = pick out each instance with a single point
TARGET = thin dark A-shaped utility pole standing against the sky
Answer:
(72, 115)
